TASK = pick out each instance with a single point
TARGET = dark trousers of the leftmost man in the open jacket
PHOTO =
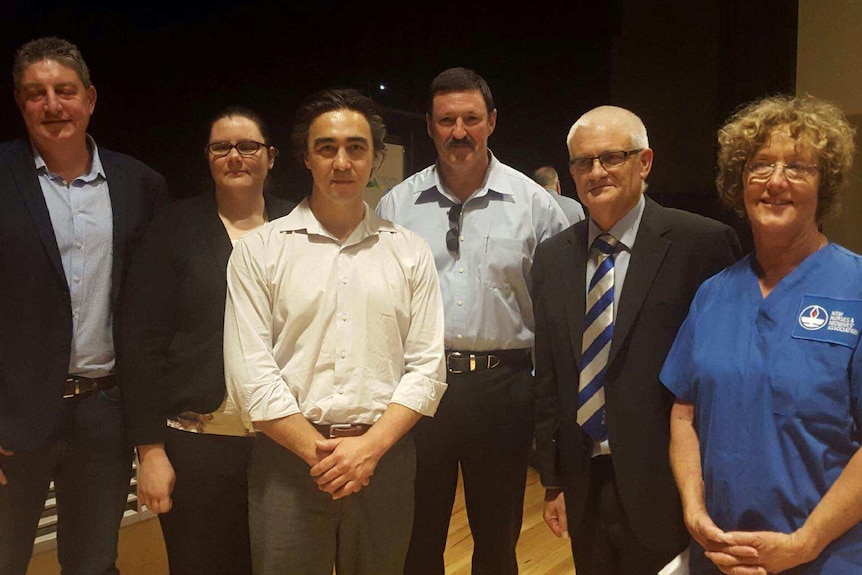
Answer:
(91, 466)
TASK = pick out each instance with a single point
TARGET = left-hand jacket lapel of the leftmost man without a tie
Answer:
(24, 173)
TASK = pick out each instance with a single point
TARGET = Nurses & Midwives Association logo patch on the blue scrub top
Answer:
(829, 320)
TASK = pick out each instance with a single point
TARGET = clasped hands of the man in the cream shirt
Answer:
(348, 467)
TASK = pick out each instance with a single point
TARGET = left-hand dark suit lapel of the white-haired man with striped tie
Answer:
(574, 285)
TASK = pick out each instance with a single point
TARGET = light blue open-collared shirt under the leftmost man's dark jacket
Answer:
(83, 225)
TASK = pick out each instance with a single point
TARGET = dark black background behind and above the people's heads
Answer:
(163, 69)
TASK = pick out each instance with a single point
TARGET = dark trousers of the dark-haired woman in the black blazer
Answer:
(206, 530)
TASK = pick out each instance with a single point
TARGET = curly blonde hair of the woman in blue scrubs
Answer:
(811, 121)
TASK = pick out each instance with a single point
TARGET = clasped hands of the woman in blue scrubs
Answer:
(748, 552)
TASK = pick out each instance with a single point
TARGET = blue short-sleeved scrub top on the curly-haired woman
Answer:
(776, 385)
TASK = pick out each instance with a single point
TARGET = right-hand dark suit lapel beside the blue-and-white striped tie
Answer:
(646, 259)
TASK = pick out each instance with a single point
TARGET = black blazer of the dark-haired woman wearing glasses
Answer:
(172, 337)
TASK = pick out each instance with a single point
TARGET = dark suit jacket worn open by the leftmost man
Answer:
(35, 307)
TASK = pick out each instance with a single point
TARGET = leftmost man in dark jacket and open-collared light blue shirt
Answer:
(70, 213)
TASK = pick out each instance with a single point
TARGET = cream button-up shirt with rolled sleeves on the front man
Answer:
(333, 330)
